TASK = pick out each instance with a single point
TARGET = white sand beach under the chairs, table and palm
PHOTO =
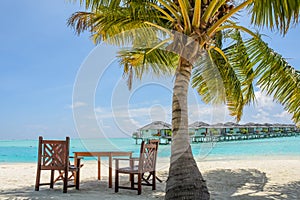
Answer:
(247, 178)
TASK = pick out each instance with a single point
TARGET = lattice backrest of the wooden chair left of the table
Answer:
(53, 154)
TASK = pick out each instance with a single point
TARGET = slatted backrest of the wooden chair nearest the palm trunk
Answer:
(148, 155)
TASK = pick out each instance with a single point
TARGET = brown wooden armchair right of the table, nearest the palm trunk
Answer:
(146, 163)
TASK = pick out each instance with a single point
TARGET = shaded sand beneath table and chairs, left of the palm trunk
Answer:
(89, 189)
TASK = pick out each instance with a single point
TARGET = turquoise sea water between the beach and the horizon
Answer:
(12, 151)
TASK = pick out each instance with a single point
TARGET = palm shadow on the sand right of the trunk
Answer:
(250, 184)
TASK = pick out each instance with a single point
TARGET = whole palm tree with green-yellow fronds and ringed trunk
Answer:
(191, 34)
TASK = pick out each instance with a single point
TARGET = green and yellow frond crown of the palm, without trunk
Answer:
(208, 22)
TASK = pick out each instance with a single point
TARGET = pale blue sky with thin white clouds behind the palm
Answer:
(40, 58)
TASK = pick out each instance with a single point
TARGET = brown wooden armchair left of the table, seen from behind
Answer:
(53, 155)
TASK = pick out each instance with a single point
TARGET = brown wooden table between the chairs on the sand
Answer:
(100, 154)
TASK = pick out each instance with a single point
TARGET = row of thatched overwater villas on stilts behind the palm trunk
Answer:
(203, 132)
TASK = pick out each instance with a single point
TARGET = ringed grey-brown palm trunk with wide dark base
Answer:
(185, 180)
